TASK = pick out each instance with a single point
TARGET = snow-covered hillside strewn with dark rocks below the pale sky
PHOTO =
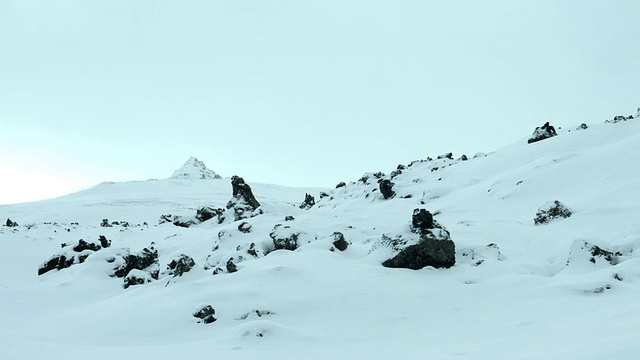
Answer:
(563, 289)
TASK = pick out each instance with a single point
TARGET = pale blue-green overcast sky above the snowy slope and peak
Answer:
(297, 93)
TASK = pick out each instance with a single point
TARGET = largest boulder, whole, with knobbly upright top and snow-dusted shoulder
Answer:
(435, 247)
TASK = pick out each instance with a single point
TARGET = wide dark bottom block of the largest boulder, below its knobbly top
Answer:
(430, 251)
